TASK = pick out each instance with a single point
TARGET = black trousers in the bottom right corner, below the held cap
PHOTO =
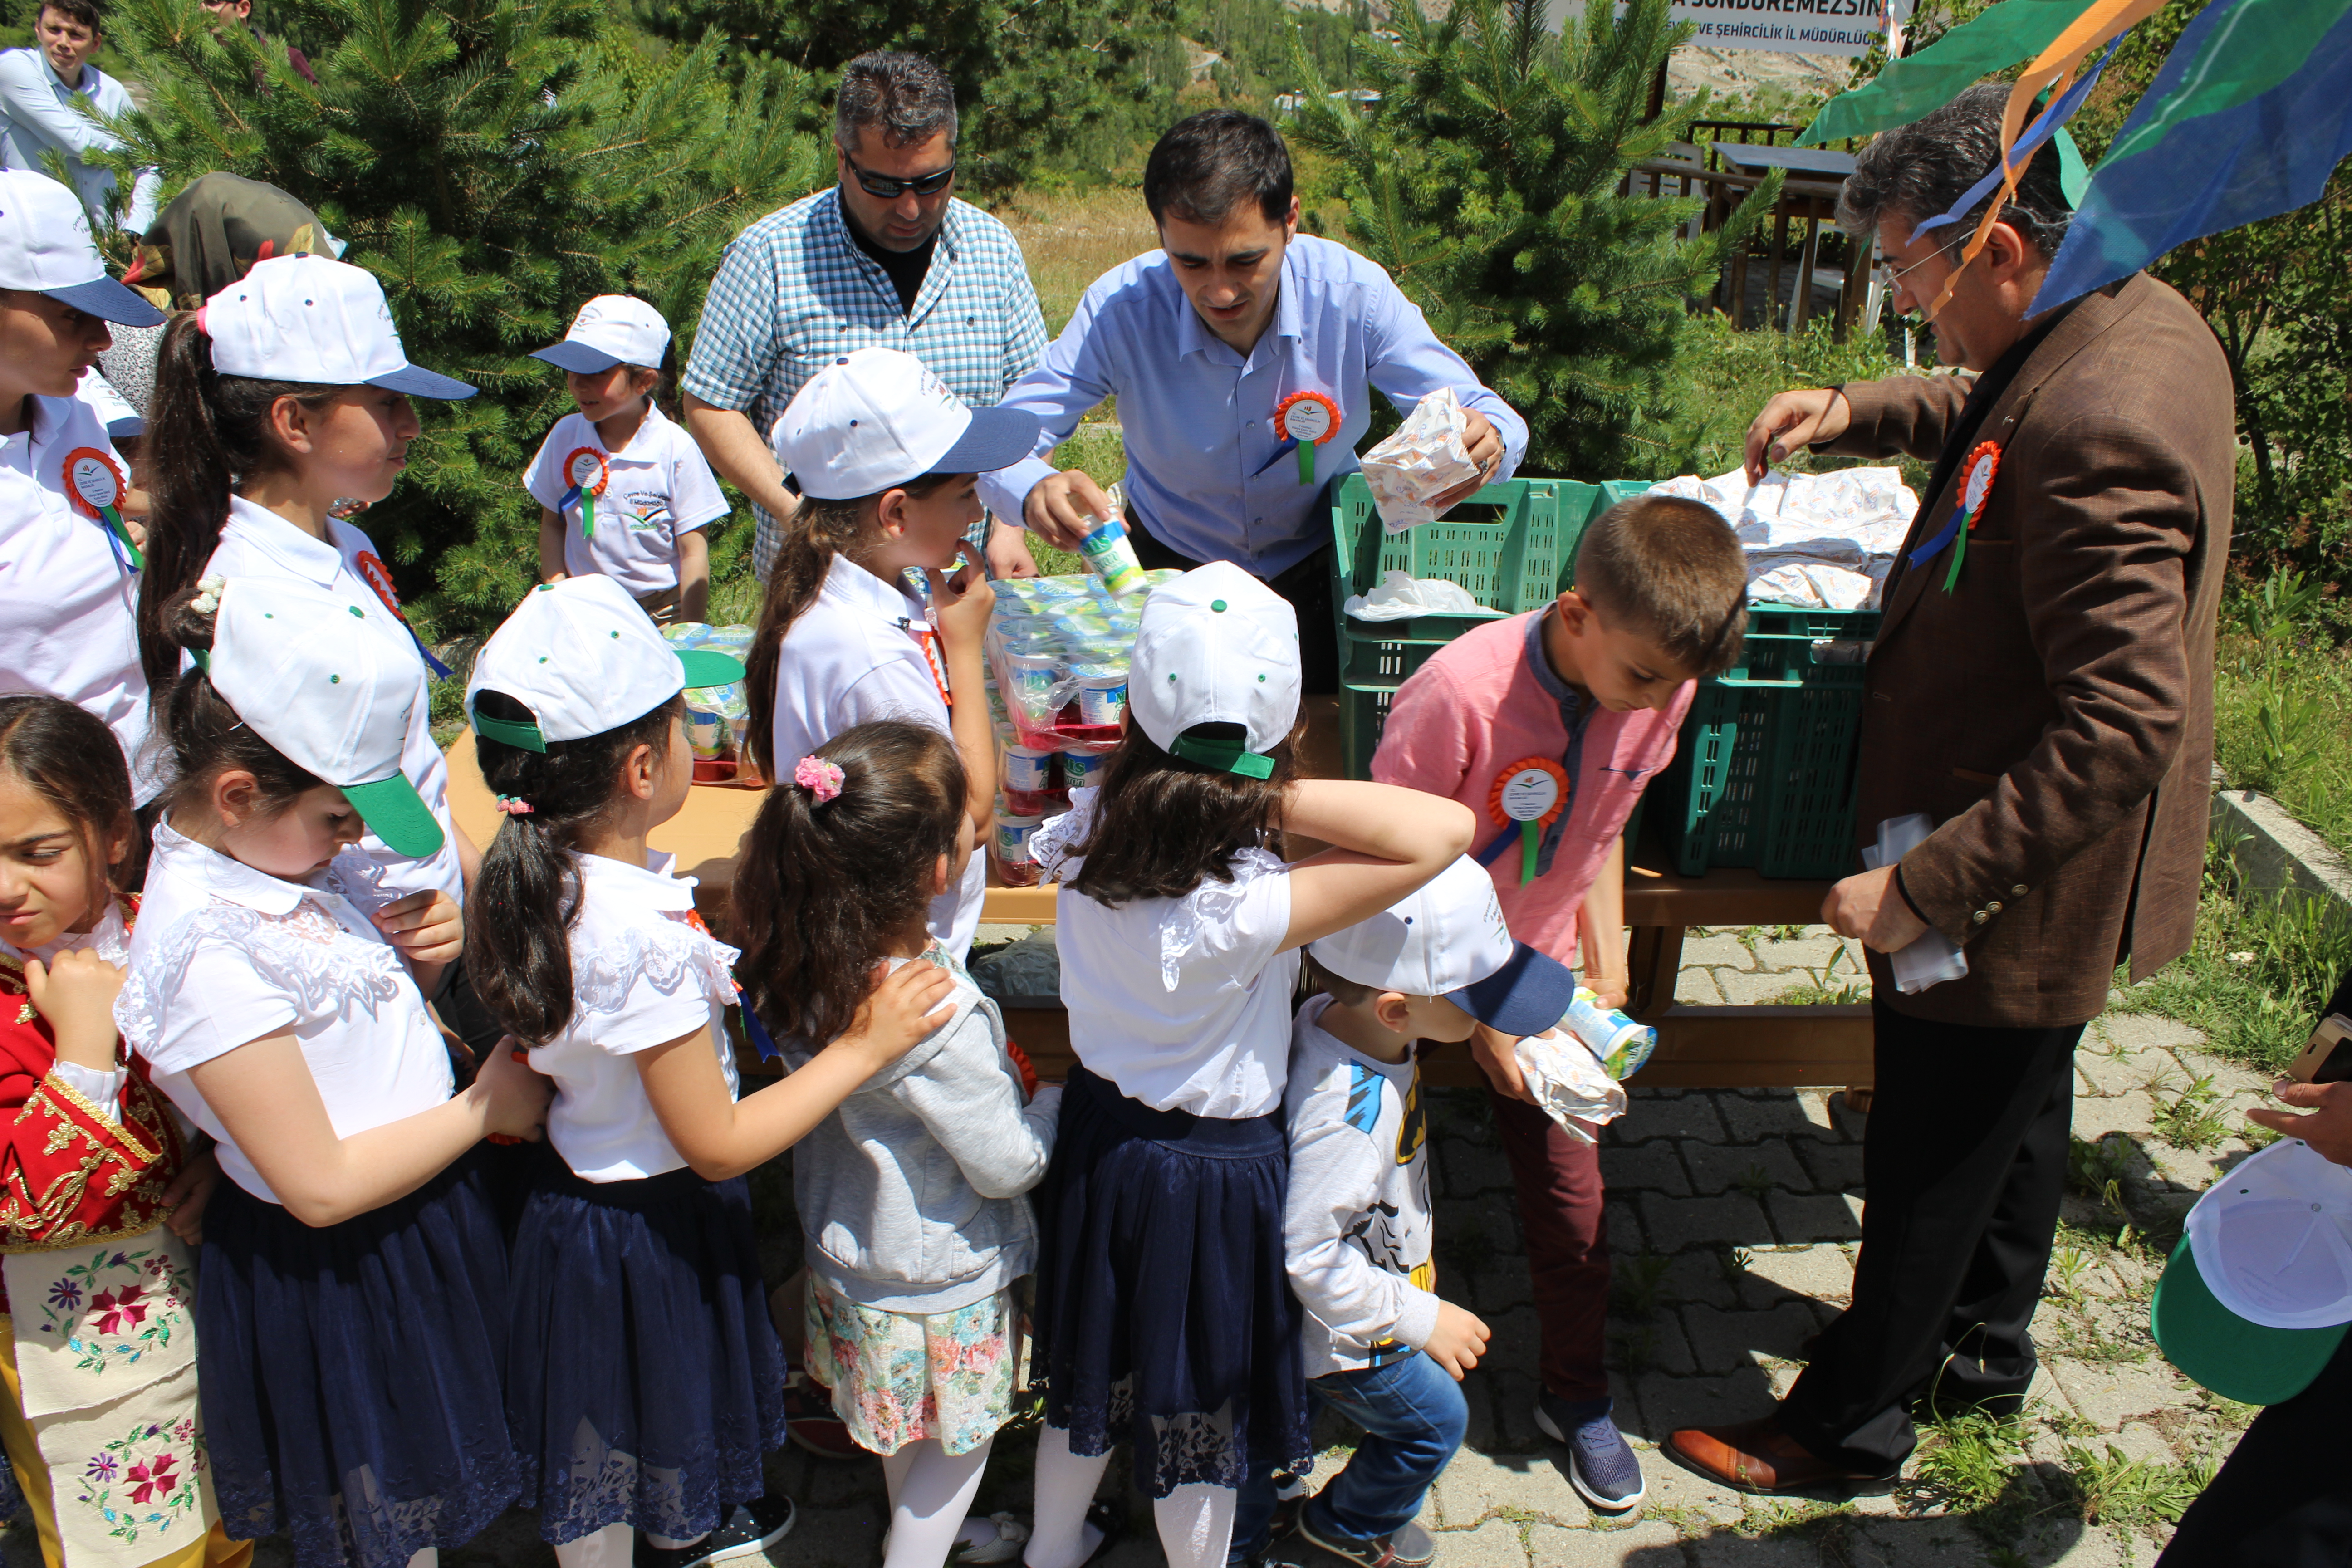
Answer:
(2285, 1499)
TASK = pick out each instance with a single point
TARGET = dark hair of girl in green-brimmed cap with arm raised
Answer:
(1163, 826)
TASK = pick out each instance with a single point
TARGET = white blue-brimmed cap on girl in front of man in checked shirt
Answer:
(878, 417)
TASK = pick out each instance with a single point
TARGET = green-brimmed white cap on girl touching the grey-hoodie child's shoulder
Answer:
(584, 659)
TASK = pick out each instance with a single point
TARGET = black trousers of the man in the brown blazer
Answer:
(1963, 1174)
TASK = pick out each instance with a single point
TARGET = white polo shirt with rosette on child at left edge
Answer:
(69, 601)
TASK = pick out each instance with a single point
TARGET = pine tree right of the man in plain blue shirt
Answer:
(1488, 185)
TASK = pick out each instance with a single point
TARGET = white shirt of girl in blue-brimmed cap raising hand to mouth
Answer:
(853, 659)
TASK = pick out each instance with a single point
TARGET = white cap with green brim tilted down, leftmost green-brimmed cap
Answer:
(330, 690)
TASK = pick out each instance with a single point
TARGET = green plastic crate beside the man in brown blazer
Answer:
(1765, 770)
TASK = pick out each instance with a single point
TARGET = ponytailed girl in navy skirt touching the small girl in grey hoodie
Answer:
(646, 1381)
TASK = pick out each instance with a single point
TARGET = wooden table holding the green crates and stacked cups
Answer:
(1699, 1047)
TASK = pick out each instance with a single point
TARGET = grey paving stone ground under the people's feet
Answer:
(1735, 1219)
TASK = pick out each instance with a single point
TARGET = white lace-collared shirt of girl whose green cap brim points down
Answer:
(227, 956)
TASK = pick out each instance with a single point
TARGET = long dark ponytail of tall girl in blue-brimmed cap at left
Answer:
(206, 436)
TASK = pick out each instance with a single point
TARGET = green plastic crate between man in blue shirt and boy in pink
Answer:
(1514, 547)
